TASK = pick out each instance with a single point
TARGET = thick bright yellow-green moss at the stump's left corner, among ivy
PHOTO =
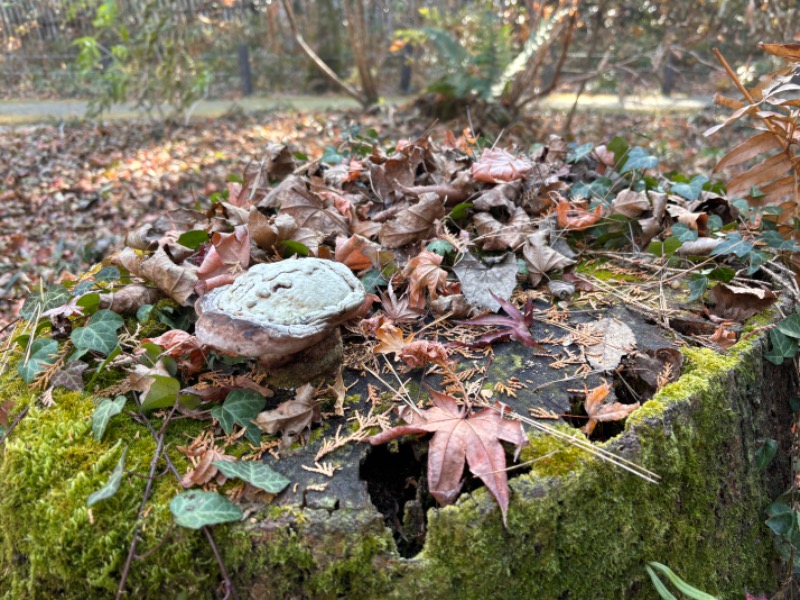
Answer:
(52, 544)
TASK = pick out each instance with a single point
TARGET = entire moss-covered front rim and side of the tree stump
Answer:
(578, 527)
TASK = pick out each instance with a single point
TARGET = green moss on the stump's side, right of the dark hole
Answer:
(581, 528)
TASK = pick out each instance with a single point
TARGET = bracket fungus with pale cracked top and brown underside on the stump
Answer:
(285, 314)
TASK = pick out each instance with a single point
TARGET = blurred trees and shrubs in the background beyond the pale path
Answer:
(500, 56)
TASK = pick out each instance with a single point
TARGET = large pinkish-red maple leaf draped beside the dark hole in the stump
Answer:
(461, 435)
